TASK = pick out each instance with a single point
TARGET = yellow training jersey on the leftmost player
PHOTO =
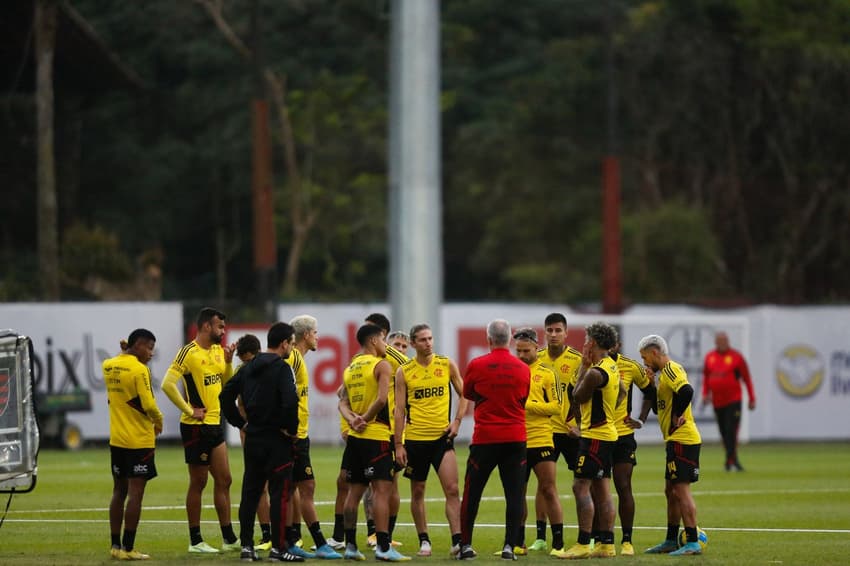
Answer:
(132, 406)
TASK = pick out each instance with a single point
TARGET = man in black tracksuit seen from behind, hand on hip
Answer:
(267, 387)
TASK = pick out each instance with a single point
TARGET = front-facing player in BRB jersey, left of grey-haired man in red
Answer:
(425, 430)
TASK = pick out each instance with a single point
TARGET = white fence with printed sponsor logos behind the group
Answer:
(799, 357)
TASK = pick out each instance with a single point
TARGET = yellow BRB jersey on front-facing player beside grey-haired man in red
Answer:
(429, 398)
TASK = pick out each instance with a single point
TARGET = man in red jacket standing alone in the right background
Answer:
(723, 372)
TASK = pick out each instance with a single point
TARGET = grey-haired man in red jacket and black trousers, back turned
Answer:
(498, 383)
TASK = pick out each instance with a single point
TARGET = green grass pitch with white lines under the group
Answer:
(791, 506)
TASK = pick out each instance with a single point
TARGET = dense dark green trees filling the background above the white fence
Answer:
(728, 117)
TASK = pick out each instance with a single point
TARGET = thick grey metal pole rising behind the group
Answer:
(415, 224)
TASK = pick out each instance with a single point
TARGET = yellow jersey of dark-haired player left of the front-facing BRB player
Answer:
(362, 387)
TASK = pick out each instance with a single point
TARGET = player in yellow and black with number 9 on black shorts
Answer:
(597, 393)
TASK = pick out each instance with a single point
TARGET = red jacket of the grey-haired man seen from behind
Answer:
(498, 383)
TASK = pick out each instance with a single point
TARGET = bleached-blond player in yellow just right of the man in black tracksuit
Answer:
(306, 340)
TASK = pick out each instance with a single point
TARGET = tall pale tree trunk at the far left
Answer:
(48, 238)
